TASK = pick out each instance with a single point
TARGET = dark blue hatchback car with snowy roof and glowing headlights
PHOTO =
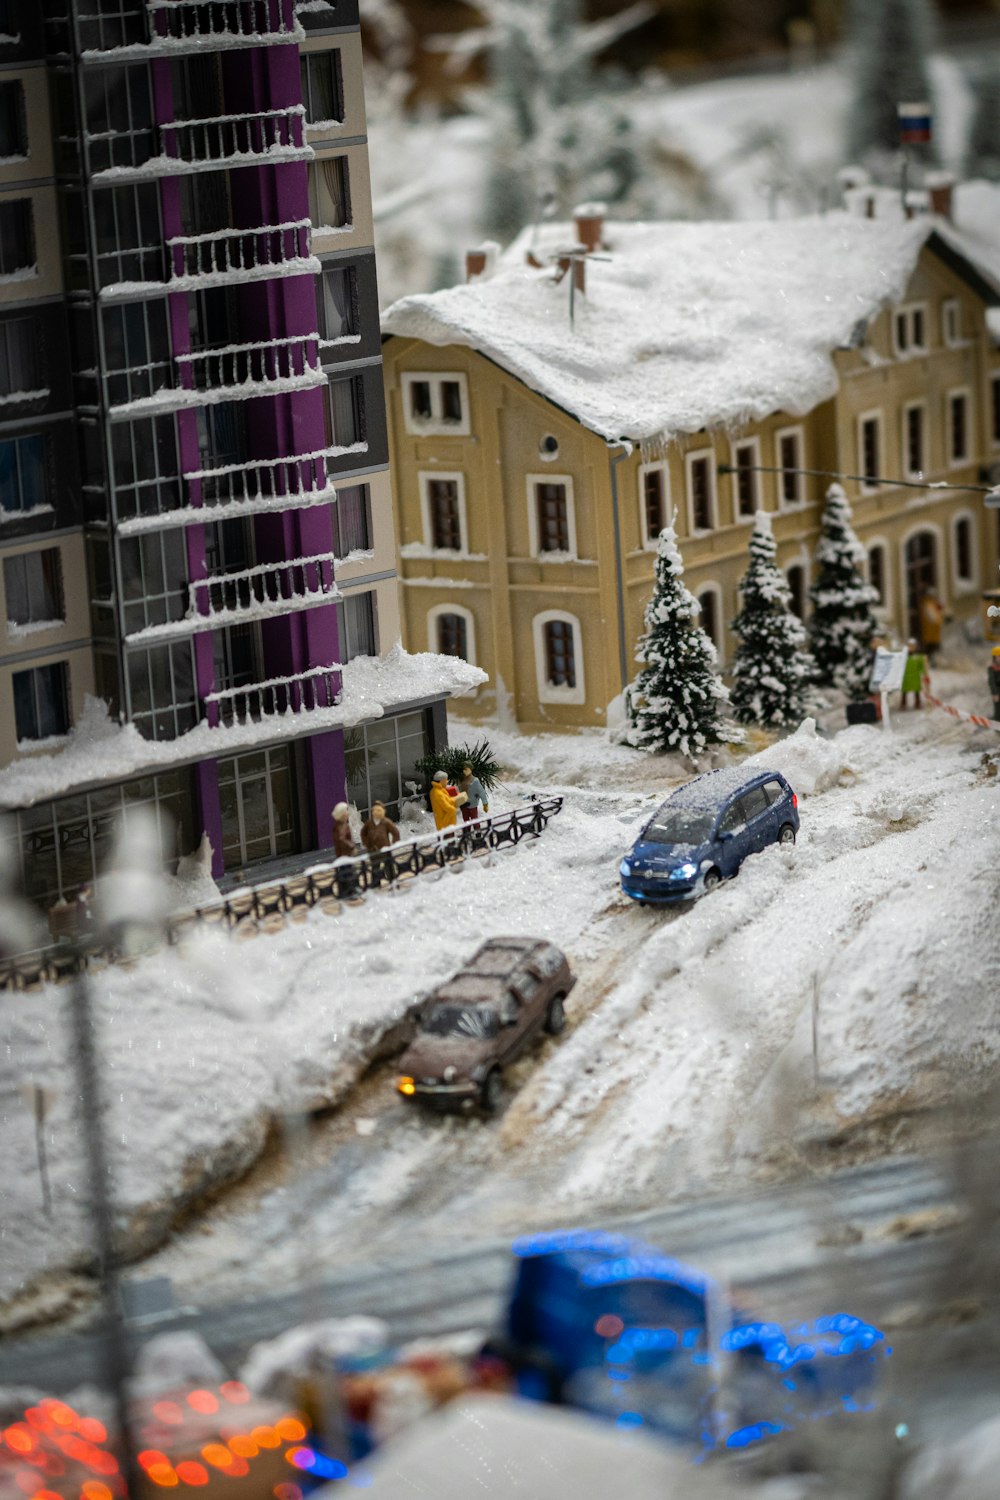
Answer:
(704, 833)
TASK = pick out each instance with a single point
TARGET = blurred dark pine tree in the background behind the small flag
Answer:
(891, 46)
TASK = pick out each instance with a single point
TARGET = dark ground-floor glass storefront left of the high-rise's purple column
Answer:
(64, 845)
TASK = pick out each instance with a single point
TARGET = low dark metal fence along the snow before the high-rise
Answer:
(326, 886)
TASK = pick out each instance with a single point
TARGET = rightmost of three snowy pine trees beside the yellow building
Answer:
(843, 617)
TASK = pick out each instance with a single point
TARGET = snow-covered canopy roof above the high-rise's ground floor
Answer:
(103, 751)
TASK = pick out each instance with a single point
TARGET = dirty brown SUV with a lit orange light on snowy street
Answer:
(473, 1025)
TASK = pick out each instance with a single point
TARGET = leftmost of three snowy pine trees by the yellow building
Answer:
(675, 701)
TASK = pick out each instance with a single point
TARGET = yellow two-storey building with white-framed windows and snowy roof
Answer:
(542, 436)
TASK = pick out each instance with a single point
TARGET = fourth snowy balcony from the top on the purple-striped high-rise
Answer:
(236, 373)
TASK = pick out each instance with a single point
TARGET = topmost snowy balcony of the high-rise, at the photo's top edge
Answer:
(167, 28)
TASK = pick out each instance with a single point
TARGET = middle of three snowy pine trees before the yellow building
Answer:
(773, 671)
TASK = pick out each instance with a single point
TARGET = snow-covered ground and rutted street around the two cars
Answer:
(689, 1060)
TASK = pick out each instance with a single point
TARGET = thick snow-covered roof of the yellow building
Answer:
(684, 326)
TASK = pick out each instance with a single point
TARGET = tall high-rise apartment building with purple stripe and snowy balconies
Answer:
(196, 518)
